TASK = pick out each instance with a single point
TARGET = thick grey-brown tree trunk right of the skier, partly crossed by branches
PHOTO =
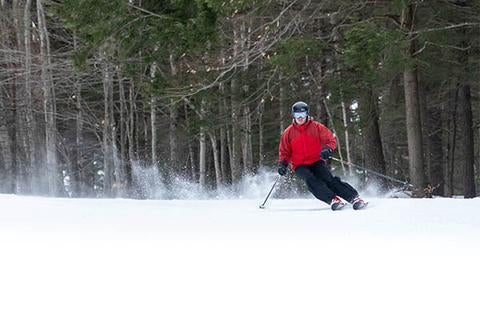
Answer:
(412, 108)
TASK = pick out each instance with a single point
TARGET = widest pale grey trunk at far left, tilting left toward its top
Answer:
(49, 104)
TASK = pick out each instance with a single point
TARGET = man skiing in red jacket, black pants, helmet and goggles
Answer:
(307, 145)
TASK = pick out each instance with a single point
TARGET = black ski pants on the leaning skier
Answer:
(322, 184)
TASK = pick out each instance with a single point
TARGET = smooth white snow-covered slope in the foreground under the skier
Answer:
(227, 259)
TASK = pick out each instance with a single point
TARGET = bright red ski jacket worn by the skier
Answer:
(301, 145)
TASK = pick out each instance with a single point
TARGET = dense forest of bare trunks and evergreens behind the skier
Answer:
(99, 97)
